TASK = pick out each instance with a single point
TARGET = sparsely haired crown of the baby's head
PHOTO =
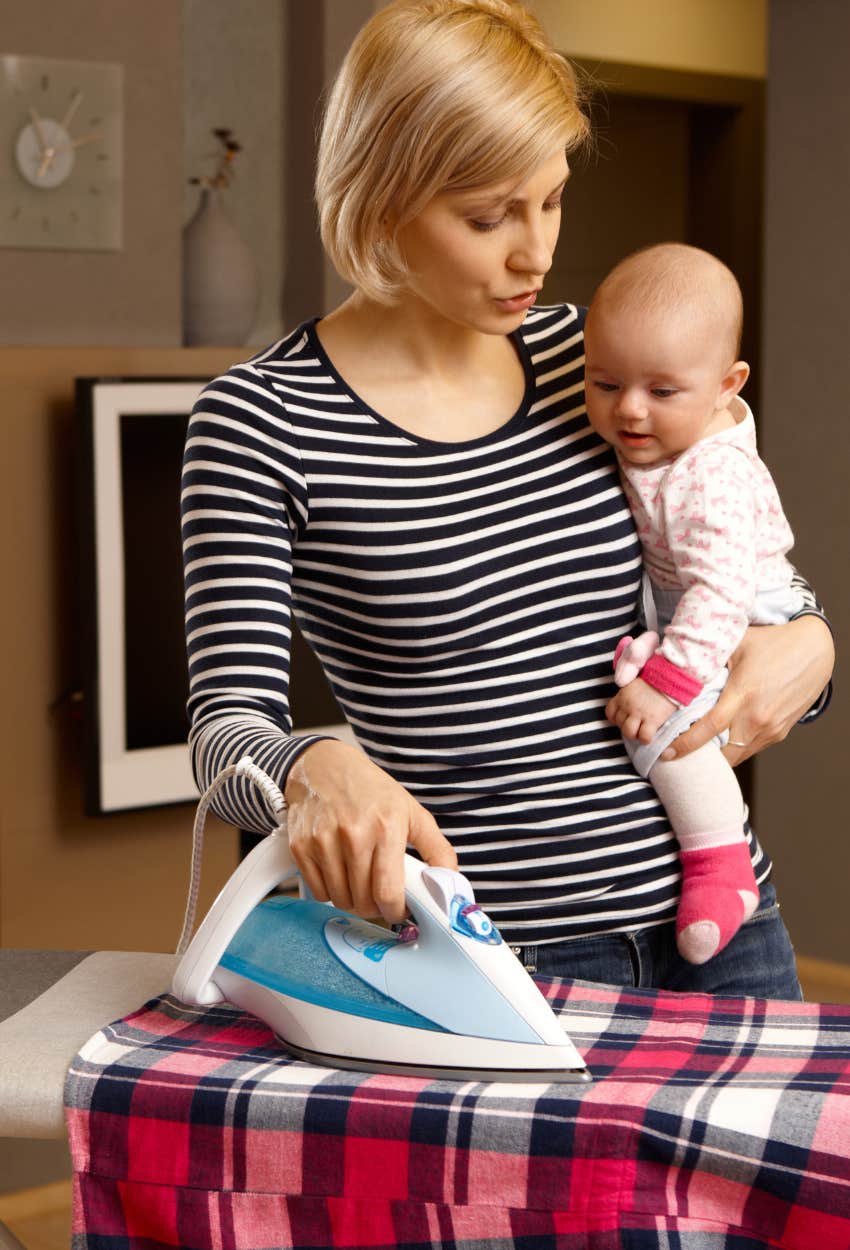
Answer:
(677, 278)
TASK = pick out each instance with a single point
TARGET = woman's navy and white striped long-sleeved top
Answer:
(464, 599)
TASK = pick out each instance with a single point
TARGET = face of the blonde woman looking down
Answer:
(478, 259)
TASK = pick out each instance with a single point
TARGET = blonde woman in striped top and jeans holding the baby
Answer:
(416, 476)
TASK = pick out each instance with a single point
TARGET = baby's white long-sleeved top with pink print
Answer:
(712, 527)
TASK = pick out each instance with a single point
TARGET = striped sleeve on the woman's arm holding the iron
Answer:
(244, 503)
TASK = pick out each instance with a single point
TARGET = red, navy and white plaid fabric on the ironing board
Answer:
(712, 1123)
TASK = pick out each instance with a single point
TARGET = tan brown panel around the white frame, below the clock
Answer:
(67, 881)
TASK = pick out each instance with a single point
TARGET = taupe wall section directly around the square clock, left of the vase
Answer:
(132, 296)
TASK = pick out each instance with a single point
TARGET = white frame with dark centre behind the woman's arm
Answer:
(131, 438)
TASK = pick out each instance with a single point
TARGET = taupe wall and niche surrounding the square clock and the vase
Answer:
(188, 68)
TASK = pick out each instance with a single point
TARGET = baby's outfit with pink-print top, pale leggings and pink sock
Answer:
(714, 539)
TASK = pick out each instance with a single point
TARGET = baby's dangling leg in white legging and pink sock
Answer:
(719, 893)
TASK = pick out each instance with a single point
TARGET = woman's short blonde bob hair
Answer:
(433, 97)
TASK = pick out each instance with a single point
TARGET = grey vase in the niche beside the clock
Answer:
(219, 278)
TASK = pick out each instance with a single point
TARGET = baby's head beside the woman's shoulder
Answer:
(662, 344)
